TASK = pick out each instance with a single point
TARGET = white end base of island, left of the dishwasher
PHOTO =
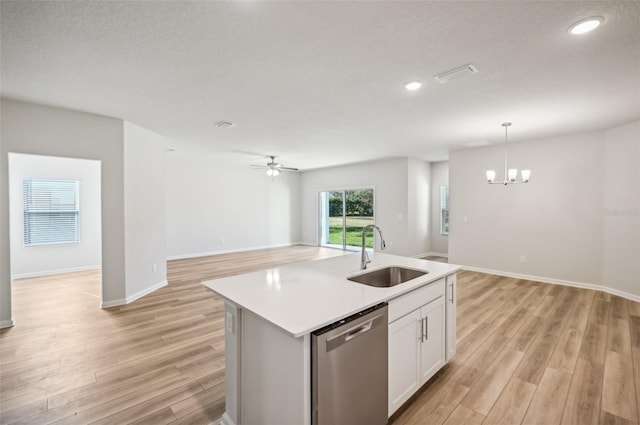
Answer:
(268, 372)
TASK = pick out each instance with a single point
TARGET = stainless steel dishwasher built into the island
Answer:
(349, 375)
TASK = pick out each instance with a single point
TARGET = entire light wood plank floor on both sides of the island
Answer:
(527, 352)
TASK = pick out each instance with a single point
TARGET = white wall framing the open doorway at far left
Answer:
(41, 130)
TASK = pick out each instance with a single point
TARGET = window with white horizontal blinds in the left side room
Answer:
(50, 211)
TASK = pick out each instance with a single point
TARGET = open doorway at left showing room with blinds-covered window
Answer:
(55, 227)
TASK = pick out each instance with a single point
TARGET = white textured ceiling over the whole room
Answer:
(320, 83)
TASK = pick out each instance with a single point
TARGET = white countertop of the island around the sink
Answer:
(303, 297)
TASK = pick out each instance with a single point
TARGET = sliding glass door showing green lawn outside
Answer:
(343, 215)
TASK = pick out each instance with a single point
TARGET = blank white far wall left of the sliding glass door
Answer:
(214, 207)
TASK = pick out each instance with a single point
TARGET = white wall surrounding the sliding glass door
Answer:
(390, 179)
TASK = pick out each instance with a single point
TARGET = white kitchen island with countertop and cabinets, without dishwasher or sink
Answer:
(270, 315)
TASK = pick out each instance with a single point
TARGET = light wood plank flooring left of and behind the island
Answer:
(158, 360)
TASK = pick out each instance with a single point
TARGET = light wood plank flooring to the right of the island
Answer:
(534, 353)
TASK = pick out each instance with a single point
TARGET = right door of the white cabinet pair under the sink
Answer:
(433, 344)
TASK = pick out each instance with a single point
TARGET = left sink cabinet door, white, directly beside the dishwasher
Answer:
(404, 358)
